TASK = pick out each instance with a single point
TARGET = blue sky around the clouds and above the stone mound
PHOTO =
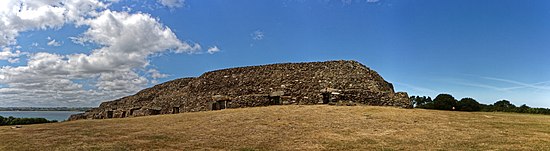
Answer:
(486, 50)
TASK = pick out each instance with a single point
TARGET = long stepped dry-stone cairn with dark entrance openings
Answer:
(332, 82)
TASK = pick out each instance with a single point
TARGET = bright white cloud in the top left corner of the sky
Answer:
(21, 15)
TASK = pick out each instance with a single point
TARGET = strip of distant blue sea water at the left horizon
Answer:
(50, 115)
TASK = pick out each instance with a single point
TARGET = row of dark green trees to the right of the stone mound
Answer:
(448, 102)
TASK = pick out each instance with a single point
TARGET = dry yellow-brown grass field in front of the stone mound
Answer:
(292, 127)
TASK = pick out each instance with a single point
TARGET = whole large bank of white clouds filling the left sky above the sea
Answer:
(119, 66)
